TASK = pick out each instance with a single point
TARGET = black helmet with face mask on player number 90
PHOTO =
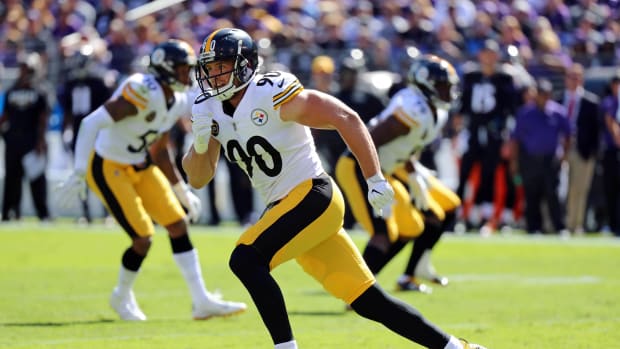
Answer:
(230, 44)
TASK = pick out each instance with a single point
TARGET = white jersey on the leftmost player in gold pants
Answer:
(127, 140)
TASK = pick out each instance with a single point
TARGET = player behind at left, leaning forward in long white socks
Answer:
(122, 153)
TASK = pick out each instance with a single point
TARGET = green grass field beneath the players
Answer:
(506, 292)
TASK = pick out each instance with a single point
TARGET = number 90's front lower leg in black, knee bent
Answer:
(252, 269)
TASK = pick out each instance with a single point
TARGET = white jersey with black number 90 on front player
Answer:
(276, 155)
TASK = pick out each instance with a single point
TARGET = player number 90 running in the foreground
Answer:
(262, 122)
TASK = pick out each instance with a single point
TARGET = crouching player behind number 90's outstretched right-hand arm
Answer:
(412, 120)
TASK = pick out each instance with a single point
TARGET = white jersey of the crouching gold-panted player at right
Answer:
(411, 108)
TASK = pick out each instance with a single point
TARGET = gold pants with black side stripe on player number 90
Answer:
(306, 225)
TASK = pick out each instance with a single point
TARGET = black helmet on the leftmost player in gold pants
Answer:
(167, 57)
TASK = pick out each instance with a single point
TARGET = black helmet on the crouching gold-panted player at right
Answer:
(436, 78)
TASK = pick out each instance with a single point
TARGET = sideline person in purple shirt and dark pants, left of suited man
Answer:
(541, 129)
